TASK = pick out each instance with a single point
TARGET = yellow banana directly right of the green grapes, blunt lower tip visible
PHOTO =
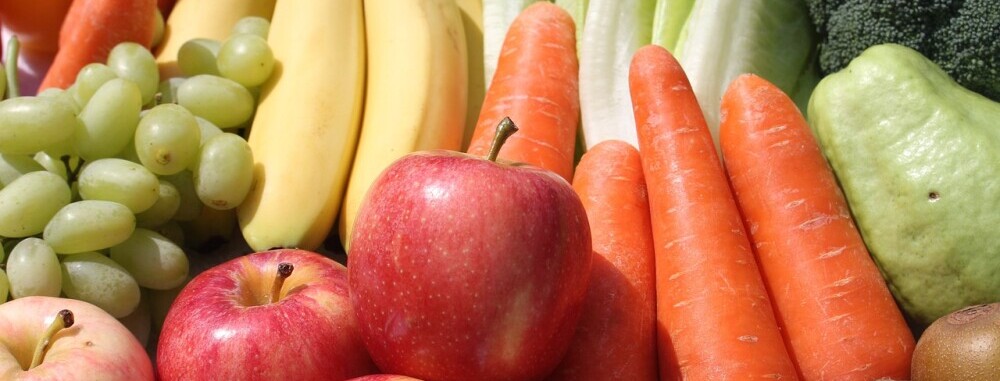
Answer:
(305, 130)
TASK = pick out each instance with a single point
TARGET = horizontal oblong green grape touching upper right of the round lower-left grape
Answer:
(89, 225)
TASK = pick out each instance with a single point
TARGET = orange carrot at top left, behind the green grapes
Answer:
(91, 29)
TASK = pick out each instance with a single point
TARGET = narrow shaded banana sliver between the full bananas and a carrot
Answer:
(472, 18)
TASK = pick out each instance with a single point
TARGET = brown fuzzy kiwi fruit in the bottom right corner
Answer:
(963, 345)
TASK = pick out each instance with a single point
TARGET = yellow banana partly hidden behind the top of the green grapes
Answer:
(212, 19)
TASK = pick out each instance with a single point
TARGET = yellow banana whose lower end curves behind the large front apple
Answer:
(416, 92)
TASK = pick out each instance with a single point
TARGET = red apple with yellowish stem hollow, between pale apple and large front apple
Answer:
(219, 327)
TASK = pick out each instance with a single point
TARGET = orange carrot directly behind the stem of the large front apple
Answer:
(536, 85)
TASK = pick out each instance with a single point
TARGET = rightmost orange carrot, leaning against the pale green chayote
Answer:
(838, 318)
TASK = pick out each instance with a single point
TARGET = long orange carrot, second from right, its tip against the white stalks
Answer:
(714, 317)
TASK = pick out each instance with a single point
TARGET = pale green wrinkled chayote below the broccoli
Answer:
(918, 158)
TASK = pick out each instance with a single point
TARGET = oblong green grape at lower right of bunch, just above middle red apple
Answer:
(153, 260)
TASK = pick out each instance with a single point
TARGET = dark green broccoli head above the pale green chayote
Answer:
(961, 36)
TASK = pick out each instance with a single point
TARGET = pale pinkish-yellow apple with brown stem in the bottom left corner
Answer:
(97, 346)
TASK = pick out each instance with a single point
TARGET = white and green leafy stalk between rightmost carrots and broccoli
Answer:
(725, 38)
